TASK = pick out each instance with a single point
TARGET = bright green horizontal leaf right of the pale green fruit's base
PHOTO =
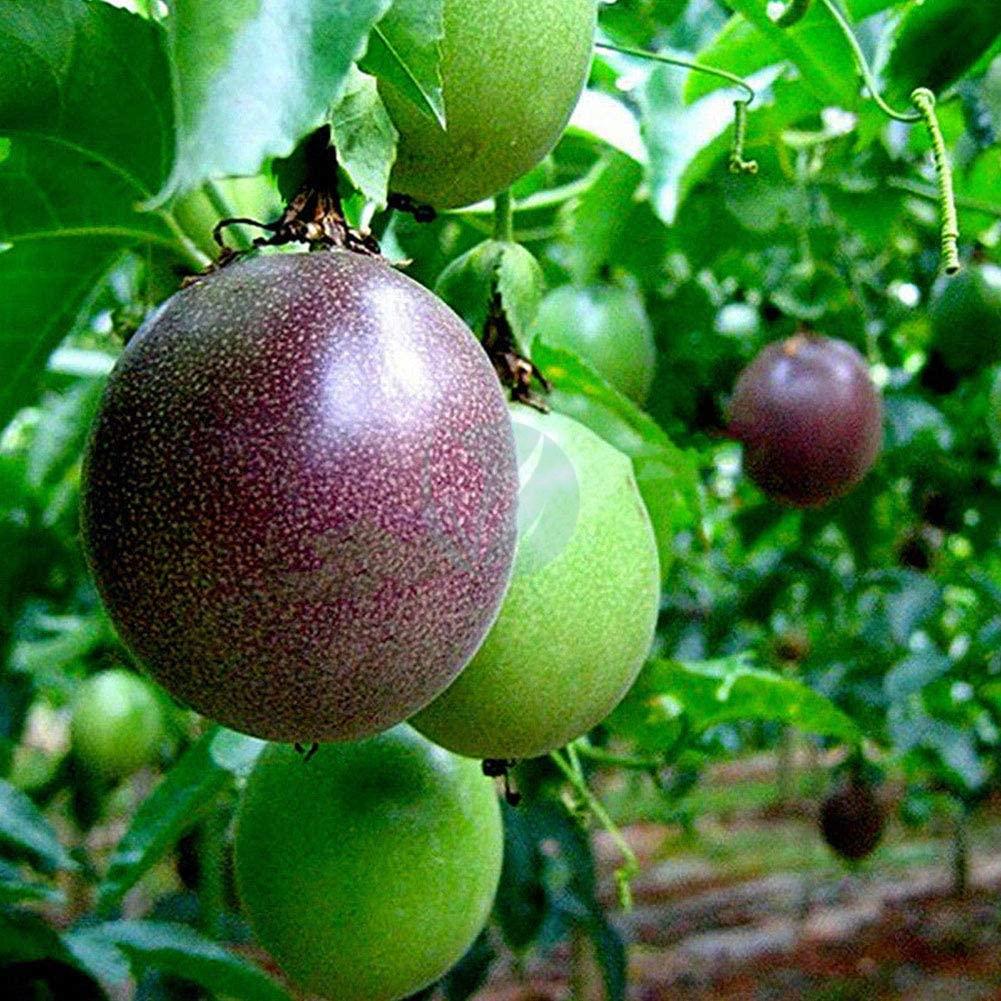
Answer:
(726, 691)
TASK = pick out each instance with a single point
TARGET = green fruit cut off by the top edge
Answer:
(513, 72)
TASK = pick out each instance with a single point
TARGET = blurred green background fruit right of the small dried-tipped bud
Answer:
(608, 328)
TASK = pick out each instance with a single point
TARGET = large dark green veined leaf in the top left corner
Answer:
(89, 136)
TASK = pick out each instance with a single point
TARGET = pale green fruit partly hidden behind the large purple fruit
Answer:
(579, 618)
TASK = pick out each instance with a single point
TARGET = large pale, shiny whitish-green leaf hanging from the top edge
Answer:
(253, 79)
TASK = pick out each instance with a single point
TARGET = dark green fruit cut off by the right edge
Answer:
(966, 319)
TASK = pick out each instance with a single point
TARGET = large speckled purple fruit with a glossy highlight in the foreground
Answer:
(300, 496)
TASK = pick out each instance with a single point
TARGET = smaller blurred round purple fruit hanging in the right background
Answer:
(810, 419)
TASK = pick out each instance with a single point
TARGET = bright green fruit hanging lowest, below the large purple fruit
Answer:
(369, 870)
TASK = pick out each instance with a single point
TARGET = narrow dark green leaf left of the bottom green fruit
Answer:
(207, 768)
